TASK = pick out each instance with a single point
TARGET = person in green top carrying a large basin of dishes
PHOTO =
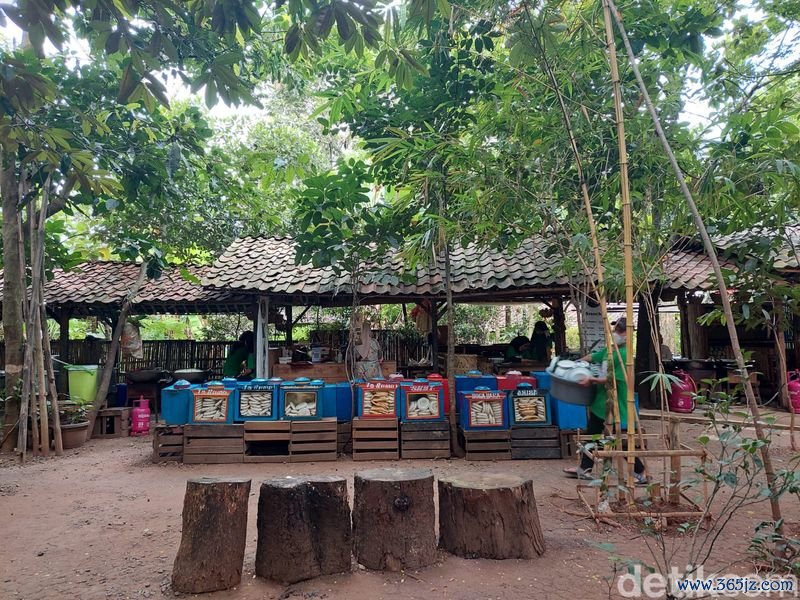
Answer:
(597, 409)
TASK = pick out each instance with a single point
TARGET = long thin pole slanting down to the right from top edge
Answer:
(774, 485)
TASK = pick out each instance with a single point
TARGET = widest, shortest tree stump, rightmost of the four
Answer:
(486, 515)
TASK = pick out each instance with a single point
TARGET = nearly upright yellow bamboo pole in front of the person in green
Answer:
(627, 235)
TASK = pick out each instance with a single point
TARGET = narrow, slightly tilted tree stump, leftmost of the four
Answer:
(211, 554)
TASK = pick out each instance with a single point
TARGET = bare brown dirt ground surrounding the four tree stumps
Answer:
(104, 522)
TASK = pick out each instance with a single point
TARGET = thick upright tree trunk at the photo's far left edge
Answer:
(13, 294)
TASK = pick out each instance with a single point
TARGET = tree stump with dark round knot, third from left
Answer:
(394, 519)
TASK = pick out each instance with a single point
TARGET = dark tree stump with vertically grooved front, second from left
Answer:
(303, 528)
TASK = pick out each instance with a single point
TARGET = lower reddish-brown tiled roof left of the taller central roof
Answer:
(101, 287)
